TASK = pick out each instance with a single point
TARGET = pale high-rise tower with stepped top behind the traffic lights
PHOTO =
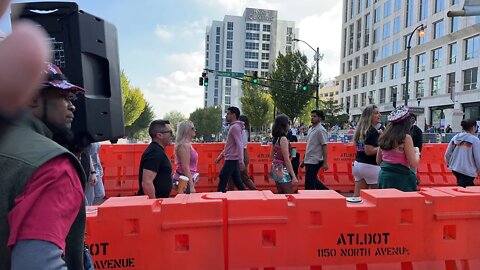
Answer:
(243, 44)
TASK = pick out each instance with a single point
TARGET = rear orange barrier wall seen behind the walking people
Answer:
(121, 165)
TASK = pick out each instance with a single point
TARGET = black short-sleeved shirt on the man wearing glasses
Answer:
(155, 159)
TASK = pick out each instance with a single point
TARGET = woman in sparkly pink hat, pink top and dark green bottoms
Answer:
(397, 154)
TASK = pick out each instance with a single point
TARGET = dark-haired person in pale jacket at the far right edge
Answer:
(463, 154)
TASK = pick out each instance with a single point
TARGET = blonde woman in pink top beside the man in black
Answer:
(186, 157)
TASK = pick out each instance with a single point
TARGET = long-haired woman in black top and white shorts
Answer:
(365, 168)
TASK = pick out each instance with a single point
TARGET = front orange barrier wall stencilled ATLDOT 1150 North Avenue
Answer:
(431, 229)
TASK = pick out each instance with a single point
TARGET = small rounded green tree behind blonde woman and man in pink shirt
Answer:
(207, 121)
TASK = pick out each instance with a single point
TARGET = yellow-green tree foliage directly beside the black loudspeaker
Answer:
(132, 100)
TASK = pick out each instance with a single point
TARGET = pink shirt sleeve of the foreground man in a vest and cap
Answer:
(48, 205)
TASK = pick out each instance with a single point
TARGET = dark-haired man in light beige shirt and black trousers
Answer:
(316, 153)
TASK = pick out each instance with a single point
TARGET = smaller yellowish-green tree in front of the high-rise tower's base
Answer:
(256, 104)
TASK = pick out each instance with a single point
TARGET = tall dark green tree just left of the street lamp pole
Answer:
(286, 90)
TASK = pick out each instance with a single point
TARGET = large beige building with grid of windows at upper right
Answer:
(443, 72)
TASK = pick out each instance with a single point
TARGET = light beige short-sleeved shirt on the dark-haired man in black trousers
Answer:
(316, 138)
